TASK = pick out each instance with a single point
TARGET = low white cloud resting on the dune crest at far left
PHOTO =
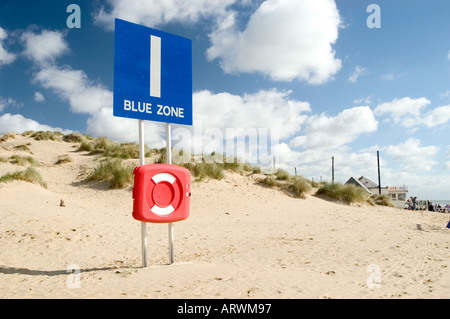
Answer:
(17, 123)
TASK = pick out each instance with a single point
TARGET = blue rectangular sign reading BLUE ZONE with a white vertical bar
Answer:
(152, 74)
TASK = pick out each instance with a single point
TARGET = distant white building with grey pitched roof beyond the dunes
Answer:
(398, 194)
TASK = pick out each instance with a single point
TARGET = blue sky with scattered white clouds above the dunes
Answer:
(313, 70)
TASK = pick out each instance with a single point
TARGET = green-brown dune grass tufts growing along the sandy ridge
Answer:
(113, 169)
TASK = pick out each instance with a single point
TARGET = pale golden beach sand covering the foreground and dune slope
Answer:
(242, 240)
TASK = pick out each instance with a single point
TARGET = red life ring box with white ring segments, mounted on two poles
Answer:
(161, 193)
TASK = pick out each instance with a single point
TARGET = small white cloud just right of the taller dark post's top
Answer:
(412, 156)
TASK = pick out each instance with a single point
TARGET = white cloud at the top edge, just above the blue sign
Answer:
(156, 12)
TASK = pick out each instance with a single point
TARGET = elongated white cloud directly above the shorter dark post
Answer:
(334, 132)
